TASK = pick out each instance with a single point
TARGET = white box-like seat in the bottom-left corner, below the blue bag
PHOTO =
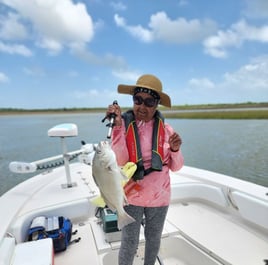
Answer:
(38, 252)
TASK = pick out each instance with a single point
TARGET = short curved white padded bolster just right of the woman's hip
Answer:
(197, 191)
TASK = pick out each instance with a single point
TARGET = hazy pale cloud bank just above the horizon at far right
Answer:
(248, 83)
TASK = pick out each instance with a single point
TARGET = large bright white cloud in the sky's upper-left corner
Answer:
(56, 23)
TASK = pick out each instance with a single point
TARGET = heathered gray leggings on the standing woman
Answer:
(154, 223)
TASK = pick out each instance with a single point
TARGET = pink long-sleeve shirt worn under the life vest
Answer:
(154, 189)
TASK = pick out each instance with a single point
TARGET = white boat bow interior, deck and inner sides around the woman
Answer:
(202, 226)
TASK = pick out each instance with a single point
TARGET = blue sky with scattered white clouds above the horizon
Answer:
(74, 53)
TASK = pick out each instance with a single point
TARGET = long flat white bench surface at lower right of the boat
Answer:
(218, 235)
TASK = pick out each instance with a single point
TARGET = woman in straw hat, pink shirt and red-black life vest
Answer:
(141, 136)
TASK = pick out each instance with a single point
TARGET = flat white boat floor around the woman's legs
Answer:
(212, 234)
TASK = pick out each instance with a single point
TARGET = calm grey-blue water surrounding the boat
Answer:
(238, 148)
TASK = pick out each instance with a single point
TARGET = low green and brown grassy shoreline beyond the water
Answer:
(247, 110)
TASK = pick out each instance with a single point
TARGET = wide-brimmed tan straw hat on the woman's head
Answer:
(147, 81)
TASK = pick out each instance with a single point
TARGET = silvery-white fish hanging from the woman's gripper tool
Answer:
(108, 177)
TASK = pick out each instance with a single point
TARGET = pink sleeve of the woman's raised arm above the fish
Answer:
(119, 145)
